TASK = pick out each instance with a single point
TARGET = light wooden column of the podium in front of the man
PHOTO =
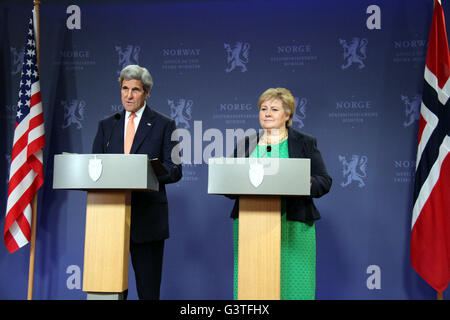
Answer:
(107, 241)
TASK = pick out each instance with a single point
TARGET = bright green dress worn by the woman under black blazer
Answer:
(298, 246)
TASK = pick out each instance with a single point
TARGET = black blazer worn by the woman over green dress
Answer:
(300, 145)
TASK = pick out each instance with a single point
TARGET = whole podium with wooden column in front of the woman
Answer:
(259, 183)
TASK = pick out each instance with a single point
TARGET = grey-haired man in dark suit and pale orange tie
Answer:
(138, 129)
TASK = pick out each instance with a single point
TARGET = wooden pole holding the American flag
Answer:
(34, 203)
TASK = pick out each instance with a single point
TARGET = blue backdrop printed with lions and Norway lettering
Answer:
(355, 67)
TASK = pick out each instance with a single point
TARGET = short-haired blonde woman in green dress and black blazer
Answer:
(298, 234)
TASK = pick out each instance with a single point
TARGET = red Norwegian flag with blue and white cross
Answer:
(430, 235)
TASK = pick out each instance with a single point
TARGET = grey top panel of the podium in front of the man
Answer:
(104, 171)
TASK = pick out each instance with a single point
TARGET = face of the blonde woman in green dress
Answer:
(272, 115)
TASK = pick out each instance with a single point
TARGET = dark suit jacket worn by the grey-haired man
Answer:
(149, 210)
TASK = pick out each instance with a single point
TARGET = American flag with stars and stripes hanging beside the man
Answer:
(26, 170)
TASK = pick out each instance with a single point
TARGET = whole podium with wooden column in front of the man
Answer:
(108, 180)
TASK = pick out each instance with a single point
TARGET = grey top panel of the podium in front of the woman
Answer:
(259, 176)
